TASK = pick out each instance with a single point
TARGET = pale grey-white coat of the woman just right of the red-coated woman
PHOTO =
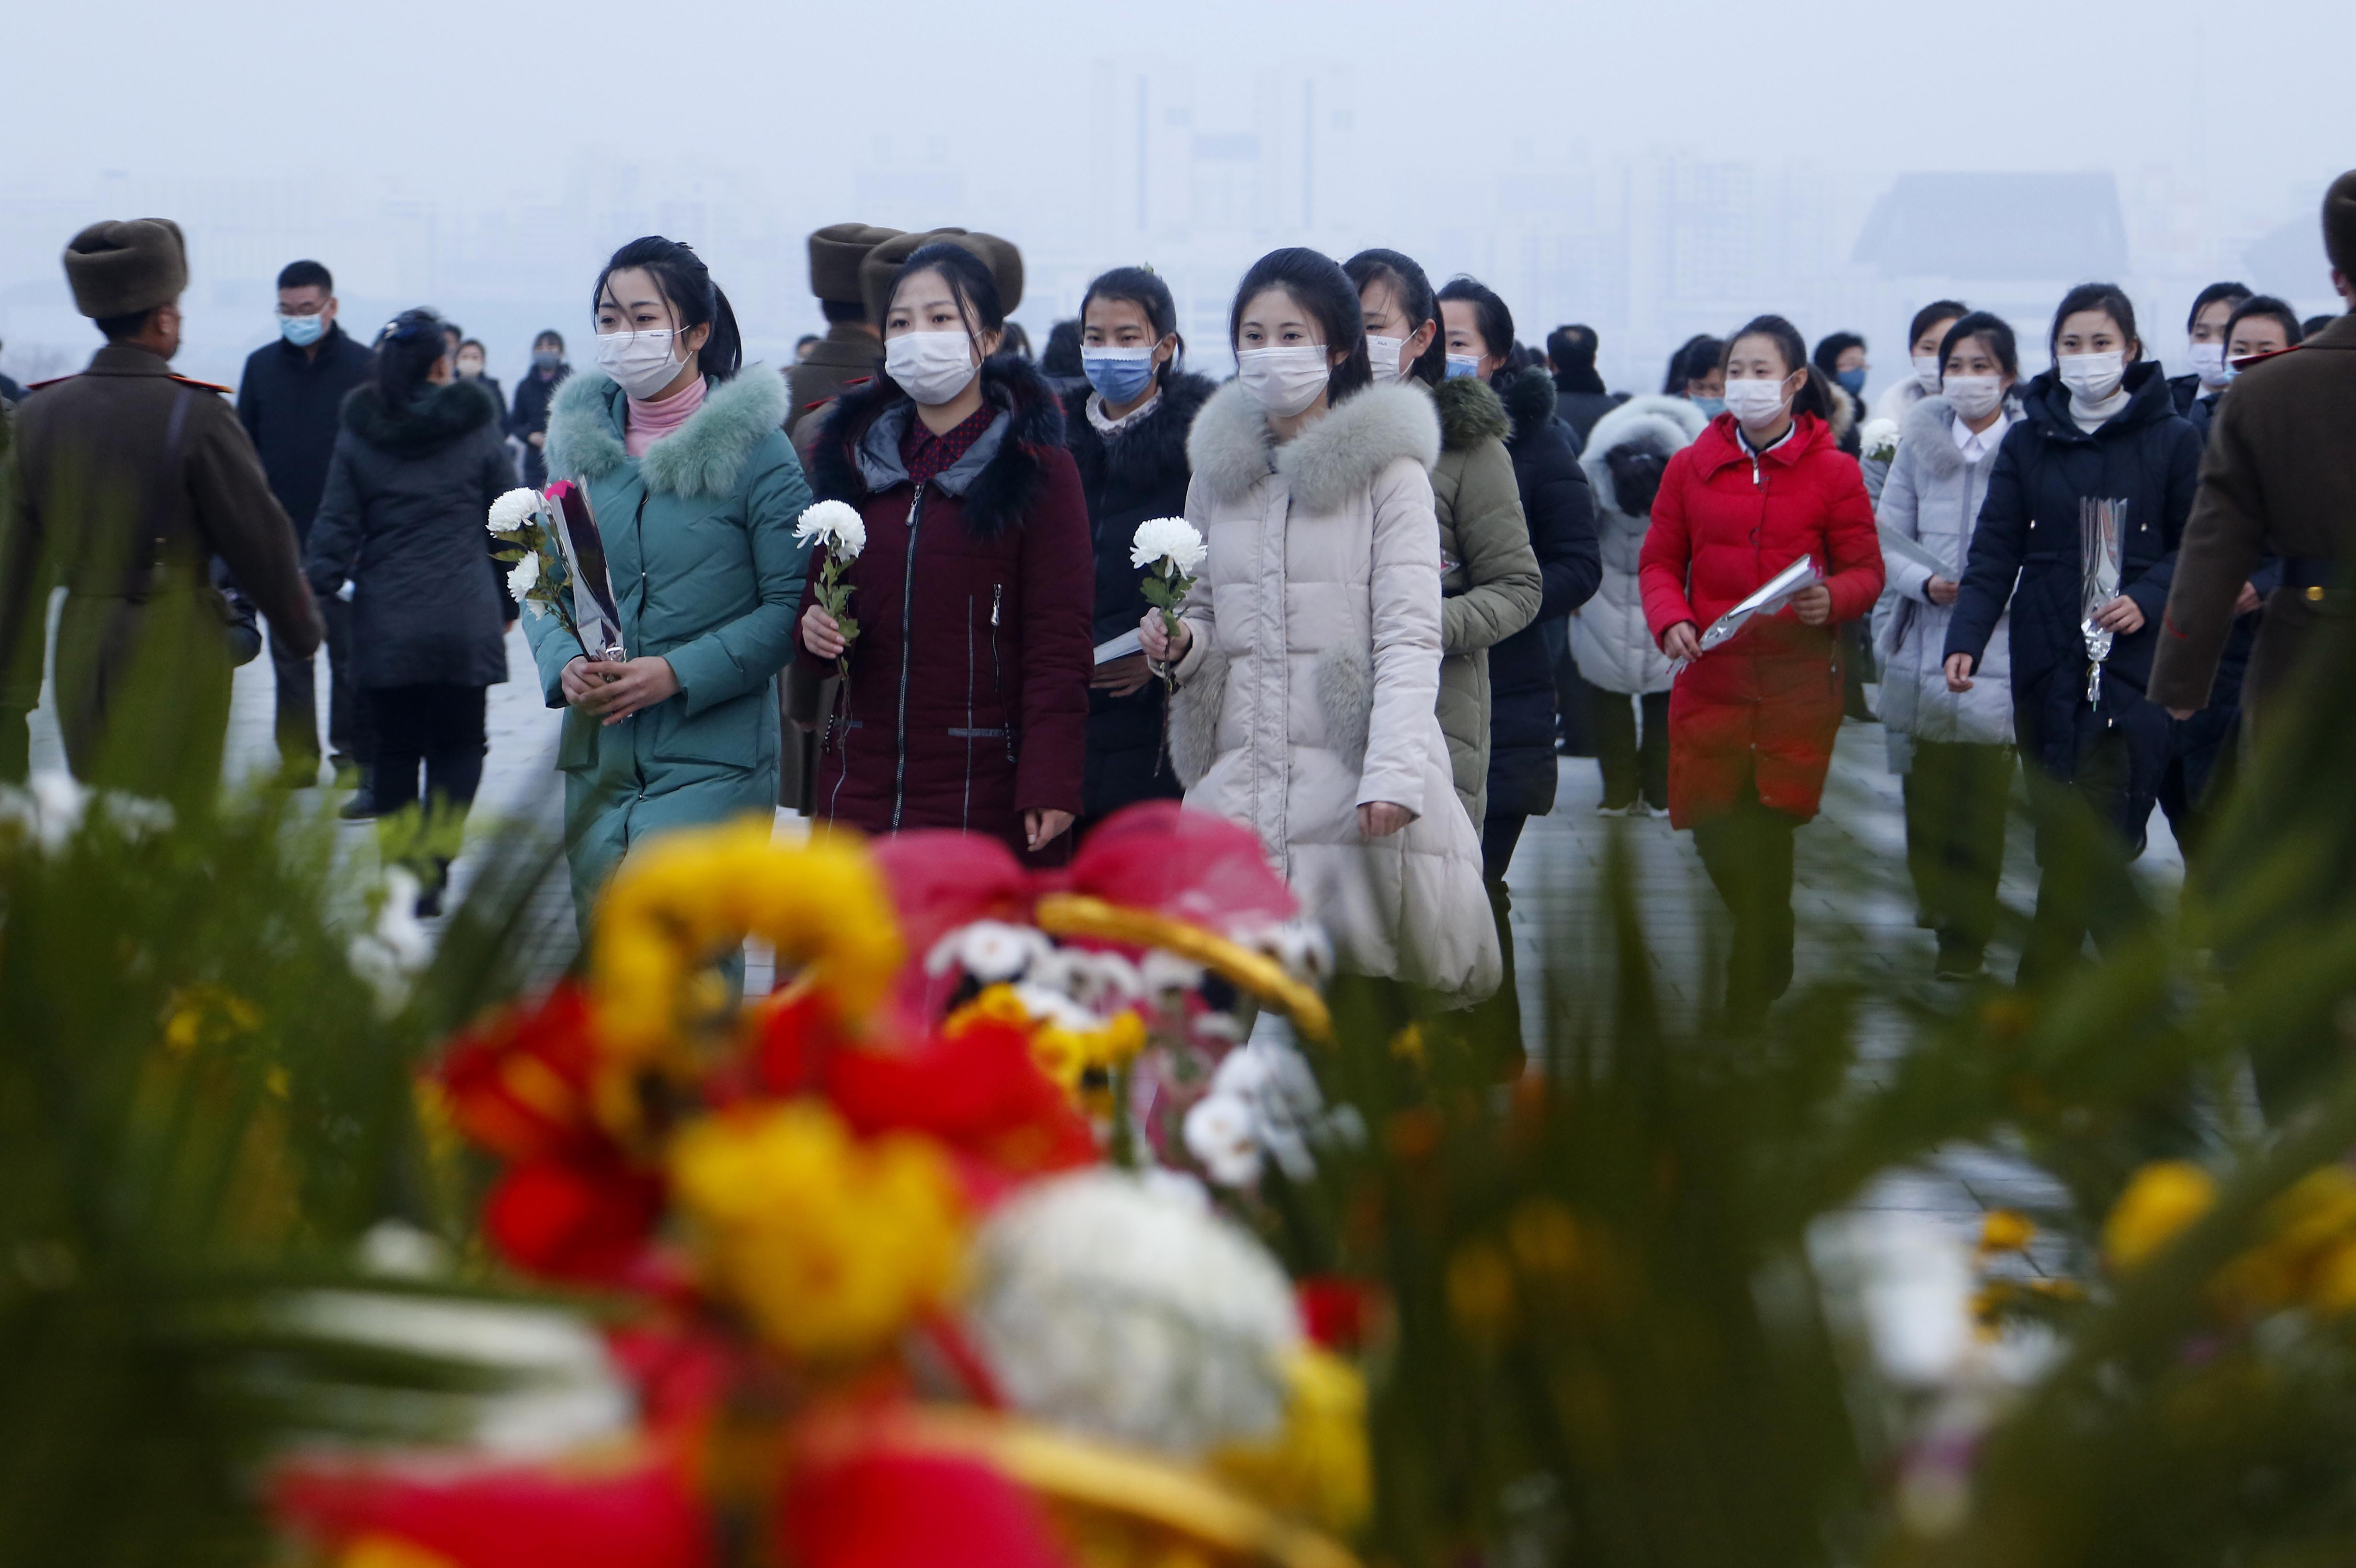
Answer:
(1933, 498)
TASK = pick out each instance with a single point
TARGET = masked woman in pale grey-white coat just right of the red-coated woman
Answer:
(1952, 750)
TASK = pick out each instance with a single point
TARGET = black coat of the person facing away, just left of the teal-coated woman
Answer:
(404, 519)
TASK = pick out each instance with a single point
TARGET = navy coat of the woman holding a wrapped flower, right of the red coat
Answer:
(2027, 536)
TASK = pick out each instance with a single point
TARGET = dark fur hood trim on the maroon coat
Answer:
(1000, 479)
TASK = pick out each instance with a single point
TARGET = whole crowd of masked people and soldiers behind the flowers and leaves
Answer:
(1434, 557)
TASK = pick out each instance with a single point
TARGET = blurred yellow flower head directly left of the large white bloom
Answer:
(828, 1244)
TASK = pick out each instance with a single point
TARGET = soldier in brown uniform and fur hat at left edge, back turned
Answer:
(128, 484)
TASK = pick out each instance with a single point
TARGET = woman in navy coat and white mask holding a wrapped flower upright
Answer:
(2098, 427)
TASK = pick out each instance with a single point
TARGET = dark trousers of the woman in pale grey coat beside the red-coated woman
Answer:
(1957, 842)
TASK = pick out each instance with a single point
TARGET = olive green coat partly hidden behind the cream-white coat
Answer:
(1488, 573)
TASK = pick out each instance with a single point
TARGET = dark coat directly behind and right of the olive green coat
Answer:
(1561, 510)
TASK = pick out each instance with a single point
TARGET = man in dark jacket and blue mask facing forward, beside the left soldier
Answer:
(289, 401)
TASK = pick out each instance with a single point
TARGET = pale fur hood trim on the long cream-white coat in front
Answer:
(1325, 465)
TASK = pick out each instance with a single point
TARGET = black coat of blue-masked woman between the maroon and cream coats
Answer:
(1130, 479)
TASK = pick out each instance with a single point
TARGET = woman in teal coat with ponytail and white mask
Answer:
(696, 496)
